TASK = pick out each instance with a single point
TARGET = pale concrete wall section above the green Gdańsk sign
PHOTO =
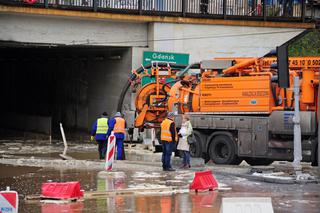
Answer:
(208, 41)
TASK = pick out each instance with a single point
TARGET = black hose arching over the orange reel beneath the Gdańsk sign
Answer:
(141, 69)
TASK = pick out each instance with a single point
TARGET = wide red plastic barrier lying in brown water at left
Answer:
(67, 190)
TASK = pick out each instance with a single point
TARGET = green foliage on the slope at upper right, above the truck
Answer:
(309, 45)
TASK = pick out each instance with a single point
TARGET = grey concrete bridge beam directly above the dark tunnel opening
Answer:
(69, 31)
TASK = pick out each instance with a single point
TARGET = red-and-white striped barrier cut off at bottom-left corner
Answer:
(9, 201)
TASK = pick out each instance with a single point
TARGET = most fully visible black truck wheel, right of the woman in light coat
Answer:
(222, 150)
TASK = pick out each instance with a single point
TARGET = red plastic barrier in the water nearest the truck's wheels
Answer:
(203, 181)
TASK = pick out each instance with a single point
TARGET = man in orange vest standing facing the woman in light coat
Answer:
(169, 137)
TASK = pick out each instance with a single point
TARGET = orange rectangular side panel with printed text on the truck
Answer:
(236, 94)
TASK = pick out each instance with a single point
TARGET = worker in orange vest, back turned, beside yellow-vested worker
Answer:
(119, 130)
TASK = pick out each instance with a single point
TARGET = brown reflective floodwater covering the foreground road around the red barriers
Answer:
(27, 181)
